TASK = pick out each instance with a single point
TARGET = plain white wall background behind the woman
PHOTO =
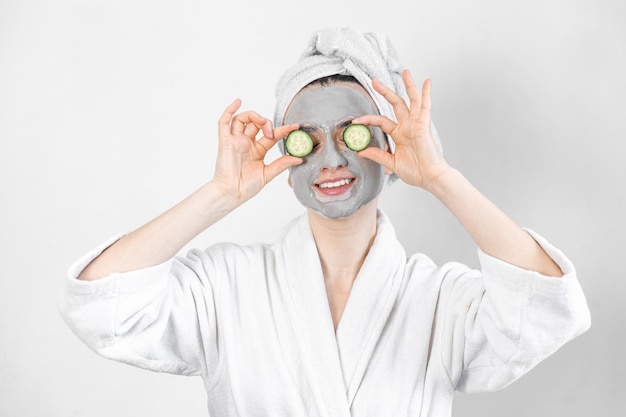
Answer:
(108, 115)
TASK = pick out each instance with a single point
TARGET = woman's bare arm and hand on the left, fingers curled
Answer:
(240, 173)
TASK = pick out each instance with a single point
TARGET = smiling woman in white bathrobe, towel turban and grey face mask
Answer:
(333, 318)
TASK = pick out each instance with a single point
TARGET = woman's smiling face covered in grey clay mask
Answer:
(333, 180)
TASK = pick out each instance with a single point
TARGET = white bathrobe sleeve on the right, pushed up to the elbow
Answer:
(501, 321)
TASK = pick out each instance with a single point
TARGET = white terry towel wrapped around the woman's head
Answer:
(341, 50)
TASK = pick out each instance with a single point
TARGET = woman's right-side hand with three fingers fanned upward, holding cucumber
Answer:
(417, 159)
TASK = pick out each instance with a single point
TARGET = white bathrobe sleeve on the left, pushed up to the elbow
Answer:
(159, 318)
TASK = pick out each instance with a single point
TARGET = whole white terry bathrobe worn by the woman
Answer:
(254, 322)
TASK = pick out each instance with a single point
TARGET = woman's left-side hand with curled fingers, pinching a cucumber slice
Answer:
(240, 170)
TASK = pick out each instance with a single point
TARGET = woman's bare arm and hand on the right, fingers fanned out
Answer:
(418, 161)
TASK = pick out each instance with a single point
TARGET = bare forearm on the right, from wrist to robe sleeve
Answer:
(493, 231)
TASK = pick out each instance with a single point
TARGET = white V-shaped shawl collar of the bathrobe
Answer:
(337, 361)
